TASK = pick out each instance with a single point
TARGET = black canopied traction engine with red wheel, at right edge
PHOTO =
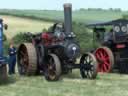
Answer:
(112, 53)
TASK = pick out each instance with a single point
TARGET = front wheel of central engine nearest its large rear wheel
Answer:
(53, 70)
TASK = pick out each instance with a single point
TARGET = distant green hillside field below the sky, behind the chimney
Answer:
(83, 16)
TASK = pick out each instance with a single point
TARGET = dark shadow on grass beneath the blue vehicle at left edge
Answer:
(7, 81)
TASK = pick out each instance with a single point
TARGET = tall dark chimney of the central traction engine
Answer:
(68, 17)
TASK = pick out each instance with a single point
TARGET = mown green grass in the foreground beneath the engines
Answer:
(70, 85)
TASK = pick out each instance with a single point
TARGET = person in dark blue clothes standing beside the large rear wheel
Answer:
(12, 58)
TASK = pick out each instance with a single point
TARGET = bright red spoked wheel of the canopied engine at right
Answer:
(105, 59)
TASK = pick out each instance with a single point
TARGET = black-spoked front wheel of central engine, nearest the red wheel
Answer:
(88, 66)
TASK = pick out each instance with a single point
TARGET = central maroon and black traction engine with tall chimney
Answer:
(55, 53)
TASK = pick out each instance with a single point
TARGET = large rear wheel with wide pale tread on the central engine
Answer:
(27, 59)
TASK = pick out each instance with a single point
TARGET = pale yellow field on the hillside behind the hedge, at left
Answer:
(16, 25)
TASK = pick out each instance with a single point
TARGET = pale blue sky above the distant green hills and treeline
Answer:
(57, 4)
